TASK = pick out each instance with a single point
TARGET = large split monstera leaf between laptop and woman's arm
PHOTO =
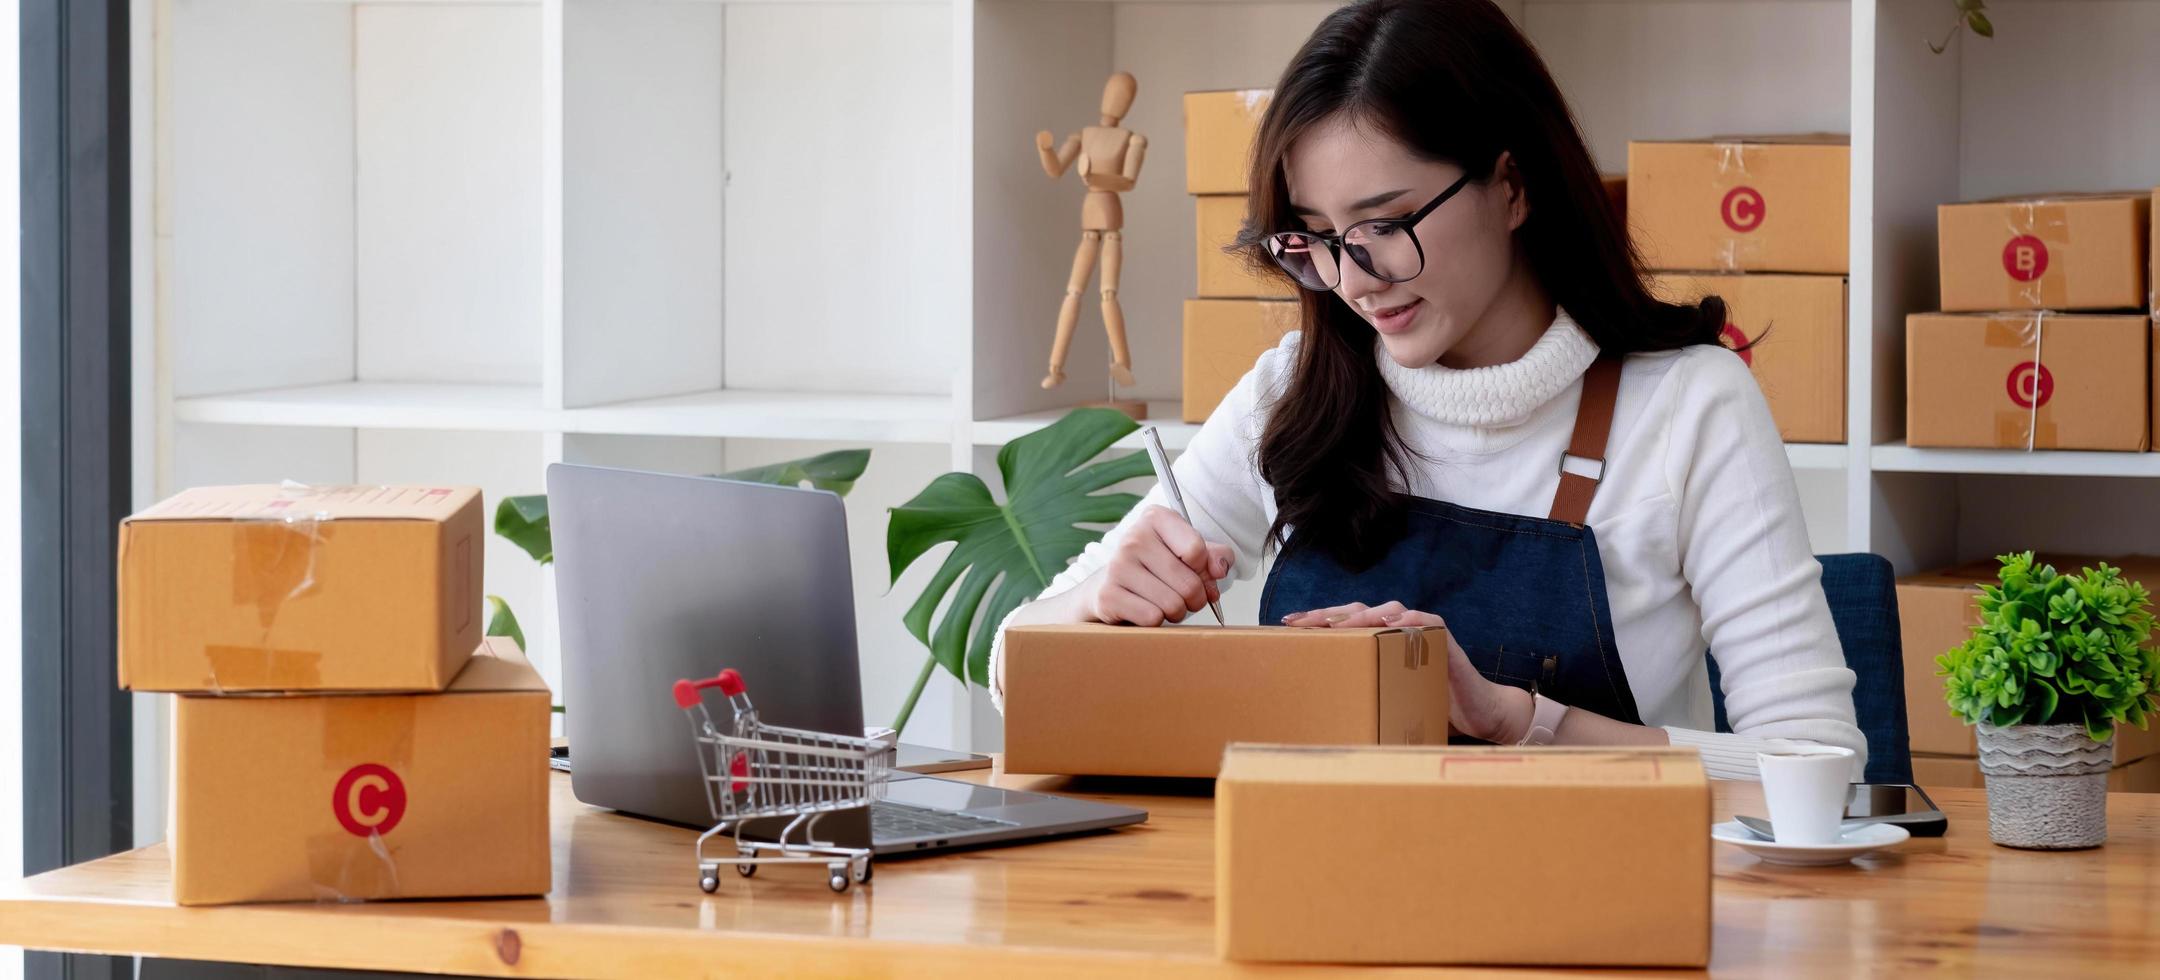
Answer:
(1005, 554)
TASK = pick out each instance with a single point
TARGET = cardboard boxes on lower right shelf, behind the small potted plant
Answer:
(1936, 614)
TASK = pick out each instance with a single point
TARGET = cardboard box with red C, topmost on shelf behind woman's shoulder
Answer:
(1749, 204)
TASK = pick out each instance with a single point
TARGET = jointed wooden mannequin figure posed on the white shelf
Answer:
(1109, 165)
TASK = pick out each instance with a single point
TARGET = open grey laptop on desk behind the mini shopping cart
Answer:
(666, 577)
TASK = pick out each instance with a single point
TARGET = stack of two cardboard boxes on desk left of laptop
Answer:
(336, 735)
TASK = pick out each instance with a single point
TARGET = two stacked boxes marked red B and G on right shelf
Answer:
(2025, 353)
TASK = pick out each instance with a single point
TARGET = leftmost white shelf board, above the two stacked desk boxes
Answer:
(375, 407)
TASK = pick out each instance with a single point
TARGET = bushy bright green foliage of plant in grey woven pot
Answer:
(2055, 651)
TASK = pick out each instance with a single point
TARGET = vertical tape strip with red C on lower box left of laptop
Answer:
(364, 748)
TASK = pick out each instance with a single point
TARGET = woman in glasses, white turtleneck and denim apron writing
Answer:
(1487, 424)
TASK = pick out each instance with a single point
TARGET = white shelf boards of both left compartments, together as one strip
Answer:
(517, 409)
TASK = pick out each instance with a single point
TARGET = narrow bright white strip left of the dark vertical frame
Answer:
(10, 465)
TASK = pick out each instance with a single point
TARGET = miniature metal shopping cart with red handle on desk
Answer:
(757, 772)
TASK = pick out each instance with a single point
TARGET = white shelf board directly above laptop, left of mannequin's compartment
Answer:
(774, 416)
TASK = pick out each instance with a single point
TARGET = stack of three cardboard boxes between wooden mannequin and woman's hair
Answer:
(1239, 312)
